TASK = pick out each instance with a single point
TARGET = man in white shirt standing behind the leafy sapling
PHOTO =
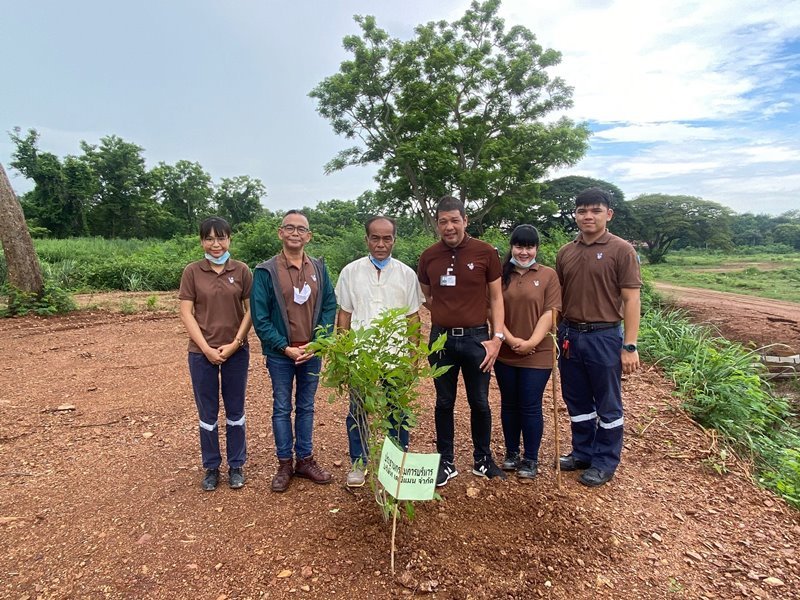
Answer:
(365, 288)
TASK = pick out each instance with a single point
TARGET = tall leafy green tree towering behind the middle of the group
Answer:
(460, 109)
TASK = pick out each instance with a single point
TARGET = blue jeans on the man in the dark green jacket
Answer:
(284, 375)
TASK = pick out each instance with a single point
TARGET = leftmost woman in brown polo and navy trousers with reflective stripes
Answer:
(215, 309)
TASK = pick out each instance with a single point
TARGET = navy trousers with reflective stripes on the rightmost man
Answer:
(592, 389)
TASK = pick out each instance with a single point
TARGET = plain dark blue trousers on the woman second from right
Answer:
(521, 390)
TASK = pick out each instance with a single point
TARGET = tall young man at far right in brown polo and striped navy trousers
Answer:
(601, 281)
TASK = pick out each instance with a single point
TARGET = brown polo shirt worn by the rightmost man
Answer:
(592, 276)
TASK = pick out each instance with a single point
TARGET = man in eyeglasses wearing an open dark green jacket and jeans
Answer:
(292, 295)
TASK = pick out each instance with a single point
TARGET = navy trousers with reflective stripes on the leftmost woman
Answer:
(206, 379)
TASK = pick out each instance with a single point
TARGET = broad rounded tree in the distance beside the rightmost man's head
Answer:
(657, 221)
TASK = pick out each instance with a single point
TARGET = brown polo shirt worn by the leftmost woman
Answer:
(217, 299)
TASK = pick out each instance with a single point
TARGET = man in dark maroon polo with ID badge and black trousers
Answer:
(460, 277)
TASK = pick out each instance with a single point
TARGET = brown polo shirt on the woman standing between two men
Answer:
(528, 297)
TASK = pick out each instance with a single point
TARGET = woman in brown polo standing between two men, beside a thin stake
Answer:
(530, 292)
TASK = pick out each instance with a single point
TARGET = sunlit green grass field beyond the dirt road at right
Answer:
(774, 276)
